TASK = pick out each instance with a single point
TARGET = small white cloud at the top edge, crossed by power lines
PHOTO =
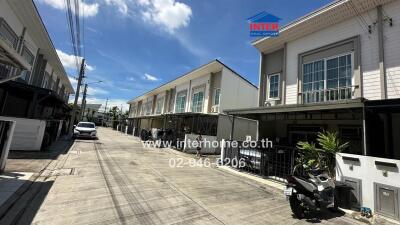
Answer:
(86, 9)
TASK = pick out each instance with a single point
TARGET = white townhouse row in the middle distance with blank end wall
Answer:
(191, 103)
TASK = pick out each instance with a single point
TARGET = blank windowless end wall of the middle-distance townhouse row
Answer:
(236, 93)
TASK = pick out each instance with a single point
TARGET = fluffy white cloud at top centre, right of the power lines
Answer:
(169, 14)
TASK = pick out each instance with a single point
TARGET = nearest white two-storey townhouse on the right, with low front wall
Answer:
(338, 68)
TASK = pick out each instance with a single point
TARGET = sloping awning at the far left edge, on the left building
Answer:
(9, 56)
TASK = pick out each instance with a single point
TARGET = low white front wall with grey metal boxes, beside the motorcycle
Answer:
(368, 172)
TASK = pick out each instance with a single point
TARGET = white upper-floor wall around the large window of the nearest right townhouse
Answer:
(369, 52)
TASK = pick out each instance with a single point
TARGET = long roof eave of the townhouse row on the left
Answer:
(29, 16)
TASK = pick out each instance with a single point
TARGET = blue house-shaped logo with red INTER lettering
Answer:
(264, 25)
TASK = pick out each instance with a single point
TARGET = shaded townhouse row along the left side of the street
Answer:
(34, 88)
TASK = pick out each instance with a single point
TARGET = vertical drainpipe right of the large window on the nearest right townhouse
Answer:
(382, 68)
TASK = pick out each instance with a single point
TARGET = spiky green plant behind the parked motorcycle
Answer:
(323, 158)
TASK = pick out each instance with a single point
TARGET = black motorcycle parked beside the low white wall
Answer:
(312, 192)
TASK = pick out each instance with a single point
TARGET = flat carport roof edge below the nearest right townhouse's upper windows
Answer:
(345, 104)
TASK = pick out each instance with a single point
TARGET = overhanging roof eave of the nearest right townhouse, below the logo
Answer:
(328, 15)
